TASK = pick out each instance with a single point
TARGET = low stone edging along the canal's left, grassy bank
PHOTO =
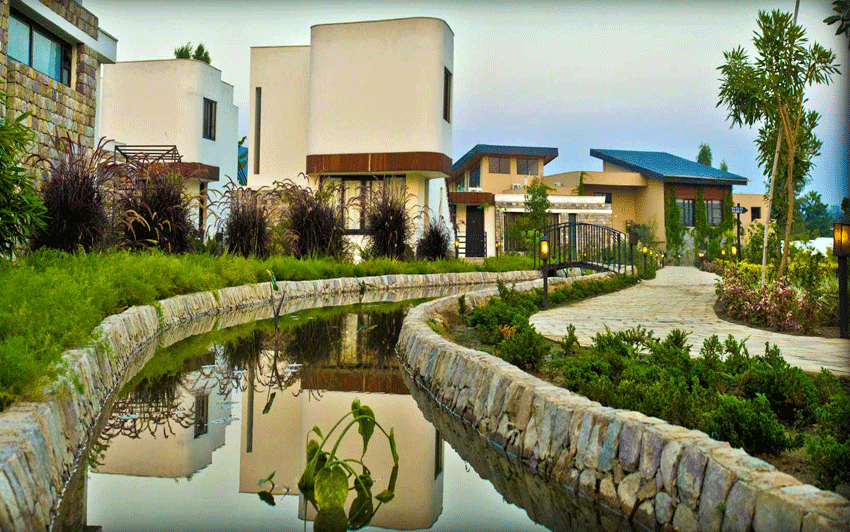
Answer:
(42, 444)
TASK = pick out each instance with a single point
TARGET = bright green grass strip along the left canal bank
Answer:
(51, 301)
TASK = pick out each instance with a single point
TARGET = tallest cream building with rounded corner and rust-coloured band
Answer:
(364, 102)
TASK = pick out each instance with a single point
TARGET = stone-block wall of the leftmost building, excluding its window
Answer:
(55, 108)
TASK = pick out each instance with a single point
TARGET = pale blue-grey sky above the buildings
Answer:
(569, 75)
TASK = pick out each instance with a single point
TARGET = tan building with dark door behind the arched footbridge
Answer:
(487, 198)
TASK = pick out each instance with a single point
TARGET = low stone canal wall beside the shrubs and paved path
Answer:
(657, 474)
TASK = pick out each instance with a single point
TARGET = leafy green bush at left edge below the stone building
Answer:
(21, 208)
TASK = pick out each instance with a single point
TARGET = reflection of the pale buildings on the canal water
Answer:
(170, 426)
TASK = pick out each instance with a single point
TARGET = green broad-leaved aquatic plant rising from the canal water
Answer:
(326, 477)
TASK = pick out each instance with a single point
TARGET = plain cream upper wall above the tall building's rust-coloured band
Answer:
(377, 87)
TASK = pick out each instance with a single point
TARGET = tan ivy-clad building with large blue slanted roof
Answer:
(636, 183)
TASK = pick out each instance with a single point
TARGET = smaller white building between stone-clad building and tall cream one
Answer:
(187, 117)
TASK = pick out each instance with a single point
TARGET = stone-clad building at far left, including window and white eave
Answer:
(50, 54)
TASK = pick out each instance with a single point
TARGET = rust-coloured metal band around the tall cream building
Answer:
(347, 163)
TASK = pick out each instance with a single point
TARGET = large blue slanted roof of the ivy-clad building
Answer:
(668, 167)
